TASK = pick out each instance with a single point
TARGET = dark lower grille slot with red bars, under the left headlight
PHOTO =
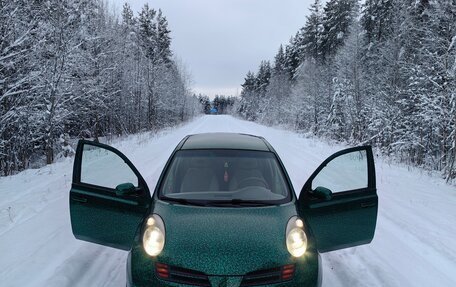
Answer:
(181, 275)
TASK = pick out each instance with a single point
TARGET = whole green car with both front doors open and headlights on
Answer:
(223, 212)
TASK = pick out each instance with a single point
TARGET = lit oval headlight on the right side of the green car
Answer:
(296, 237)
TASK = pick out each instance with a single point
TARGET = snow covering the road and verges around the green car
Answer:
(414, 243)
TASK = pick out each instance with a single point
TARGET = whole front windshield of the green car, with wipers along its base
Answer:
(228, 177)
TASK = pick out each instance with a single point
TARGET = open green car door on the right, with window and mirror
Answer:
(339, 201)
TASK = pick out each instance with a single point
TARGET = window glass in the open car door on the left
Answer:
(104, 168)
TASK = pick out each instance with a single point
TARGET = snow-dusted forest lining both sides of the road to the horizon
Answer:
(379, 72)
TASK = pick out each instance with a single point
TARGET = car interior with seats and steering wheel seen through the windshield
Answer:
(225, 173)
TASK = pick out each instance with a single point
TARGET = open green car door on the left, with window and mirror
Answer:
(108, 196)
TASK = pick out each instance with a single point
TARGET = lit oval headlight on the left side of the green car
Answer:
(154, 235)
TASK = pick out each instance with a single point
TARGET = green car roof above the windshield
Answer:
(225, 141)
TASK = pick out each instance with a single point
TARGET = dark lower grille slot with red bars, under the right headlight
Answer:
(269, 276)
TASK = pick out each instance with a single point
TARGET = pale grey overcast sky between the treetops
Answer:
(219, 41)
